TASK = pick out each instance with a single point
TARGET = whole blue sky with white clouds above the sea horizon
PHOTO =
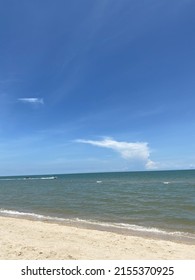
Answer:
(102, 85)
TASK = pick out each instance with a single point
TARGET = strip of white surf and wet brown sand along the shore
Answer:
(118, 228)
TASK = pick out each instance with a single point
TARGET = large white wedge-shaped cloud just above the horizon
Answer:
(135, 151)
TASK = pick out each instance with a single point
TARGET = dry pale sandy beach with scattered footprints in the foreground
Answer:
(26, 239)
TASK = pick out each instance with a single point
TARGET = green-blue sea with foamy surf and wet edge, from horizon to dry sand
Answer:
(159, 204)
